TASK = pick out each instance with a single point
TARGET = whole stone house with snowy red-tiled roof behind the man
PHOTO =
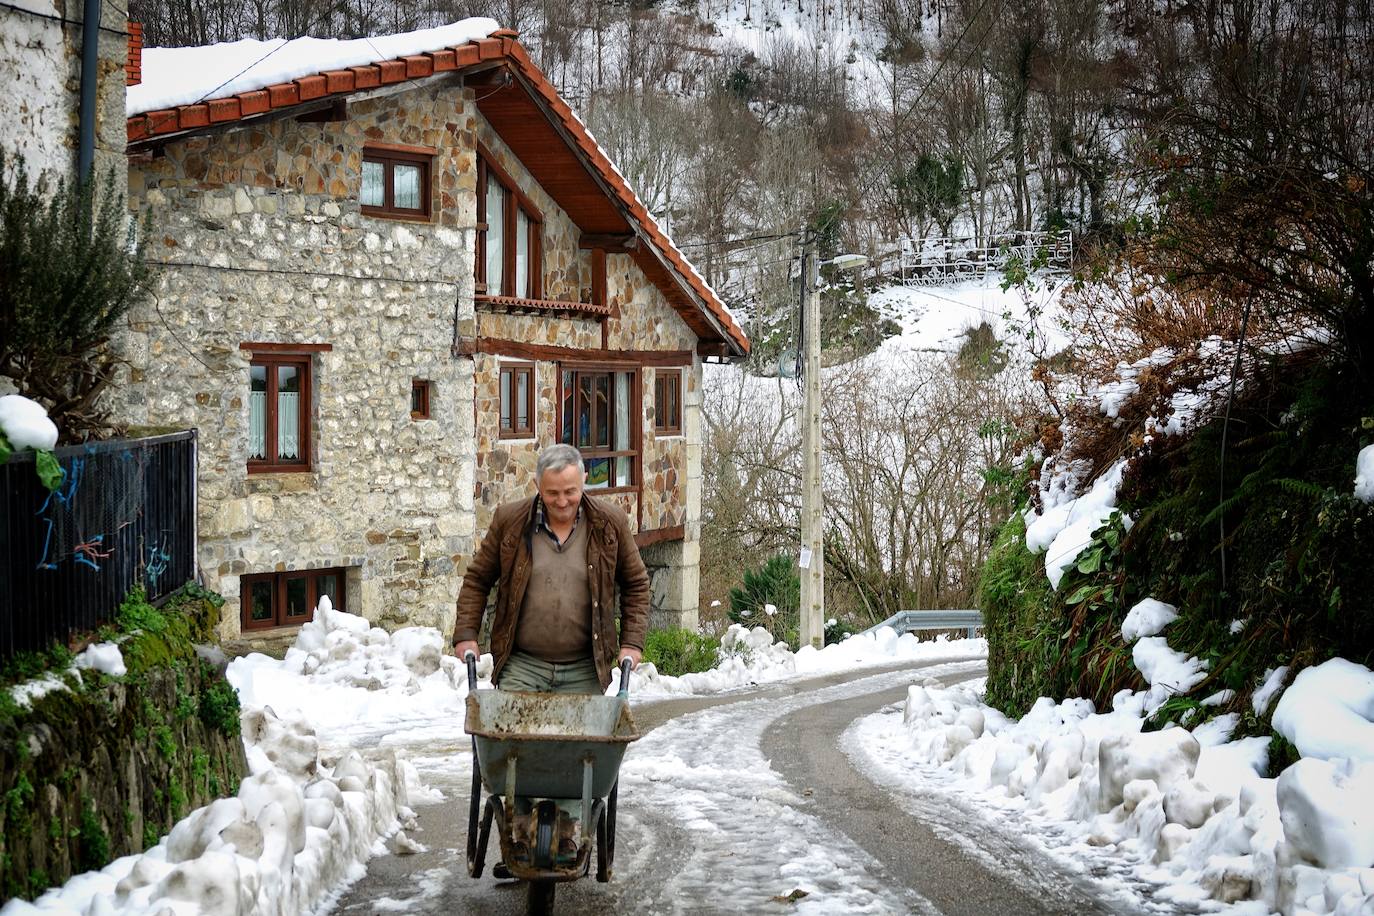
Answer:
(391, 274)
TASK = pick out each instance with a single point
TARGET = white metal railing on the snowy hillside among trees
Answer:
(953, 259)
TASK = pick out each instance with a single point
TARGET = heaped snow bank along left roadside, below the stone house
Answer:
(313, 810)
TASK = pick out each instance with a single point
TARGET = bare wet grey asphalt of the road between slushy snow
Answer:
(914, 852)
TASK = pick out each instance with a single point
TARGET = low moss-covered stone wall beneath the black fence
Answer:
(105, 768)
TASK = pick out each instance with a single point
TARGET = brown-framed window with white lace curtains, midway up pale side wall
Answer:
(280, 413)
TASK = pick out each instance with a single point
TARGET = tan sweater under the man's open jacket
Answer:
(556, 619)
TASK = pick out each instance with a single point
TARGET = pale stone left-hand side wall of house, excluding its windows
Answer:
(264, 241)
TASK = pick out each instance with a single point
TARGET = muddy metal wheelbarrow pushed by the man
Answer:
(531, 752)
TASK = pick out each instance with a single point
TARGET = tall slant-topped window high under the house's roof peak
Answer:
(509, 236)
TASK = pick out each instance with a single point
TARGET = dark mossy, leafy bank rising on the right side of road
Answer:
(1296, 545)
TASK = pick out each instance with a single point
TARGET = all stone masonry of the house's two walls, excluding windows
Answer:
(262, 241)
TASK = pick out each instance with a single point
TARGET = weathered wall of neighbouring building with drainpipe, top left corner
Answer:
(42, 104)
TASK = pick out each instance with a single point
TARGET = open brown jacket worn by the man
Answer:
(505, 561)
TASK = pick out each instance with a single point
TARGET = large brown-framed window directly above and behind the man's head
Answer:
(597, 410)
